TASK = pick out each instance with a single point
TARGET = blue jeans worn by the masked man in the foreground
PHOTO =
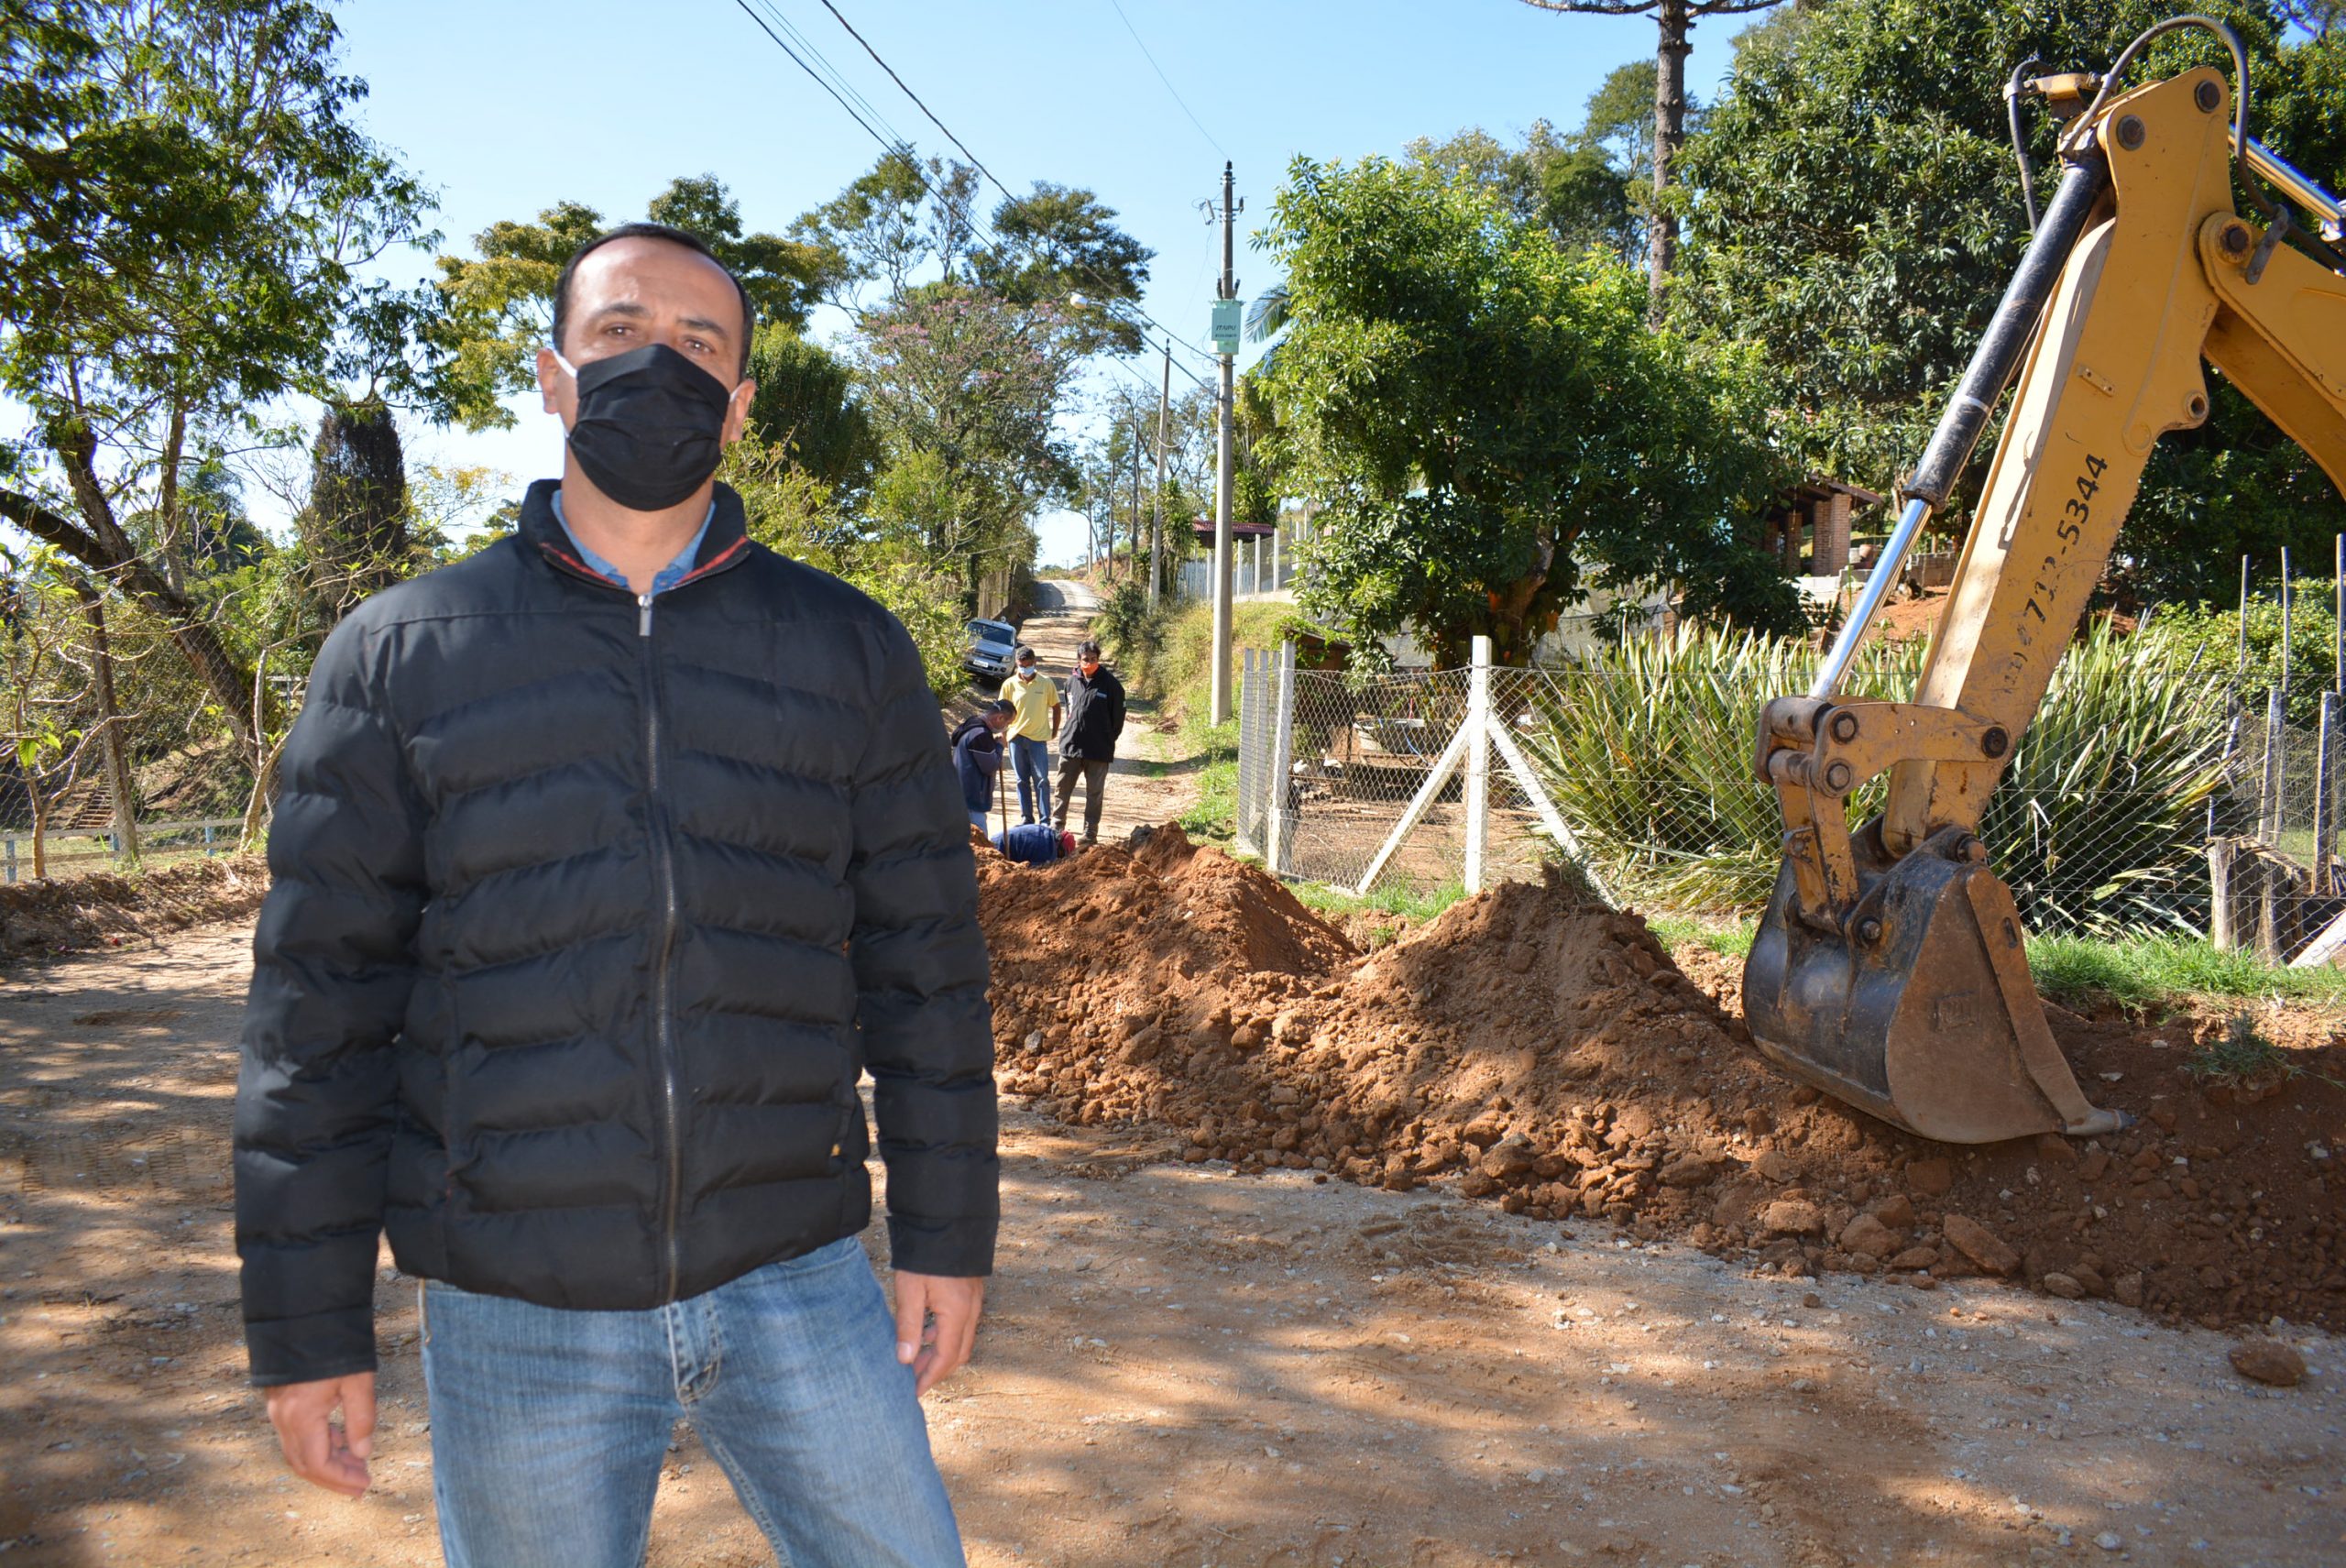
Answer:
(550, 1426)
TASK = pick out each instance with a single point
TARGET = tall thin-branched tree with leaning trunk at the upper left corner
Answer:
(189, 212)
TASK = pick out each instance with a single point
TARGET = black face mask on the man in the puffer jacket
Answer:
(649, 428)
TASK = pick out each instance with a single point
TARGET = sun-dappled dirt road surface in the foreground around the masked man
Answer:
(1181, 1367)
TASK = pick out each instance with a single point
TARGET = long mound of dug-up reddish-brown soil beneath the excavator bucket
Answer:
(1550, 1055)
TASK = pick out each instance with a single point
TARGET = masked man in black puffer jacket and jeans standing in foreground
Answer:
(606, 865)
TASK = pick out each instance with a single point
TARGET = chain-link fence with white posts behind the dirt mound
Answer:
(2106, 820)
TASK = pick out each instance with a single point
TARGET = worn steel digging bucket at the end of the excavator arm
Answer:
(1908, 1011)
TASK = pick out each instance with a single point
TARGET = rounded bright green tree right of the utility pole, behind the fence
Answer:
(1489, 426)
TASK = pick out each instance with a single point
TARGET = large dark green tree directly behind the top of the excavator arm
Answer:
(1855, 210)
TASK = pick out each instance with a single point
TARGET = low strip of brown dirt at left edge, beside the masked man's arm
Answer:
(107, 910)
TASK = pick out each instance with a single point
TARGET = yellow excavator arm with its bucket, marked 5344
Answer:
(1890, 968)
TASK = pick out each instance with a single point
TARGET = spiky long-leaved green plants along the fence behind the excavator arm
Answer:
(2098, 820)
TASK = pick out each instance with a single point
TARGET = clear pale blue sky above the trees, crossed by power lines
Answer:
(508, 107)
